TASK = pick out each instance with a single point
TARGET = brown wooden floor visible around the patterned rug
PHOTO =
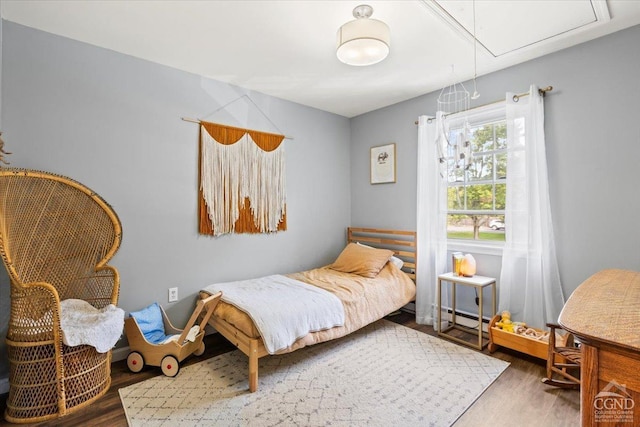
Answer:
(516, 398)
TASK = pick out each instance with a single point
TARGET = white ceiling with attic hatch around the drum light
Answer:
(287, 48)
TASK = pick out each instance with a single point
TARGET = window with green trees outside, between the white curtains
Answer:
(476, 183)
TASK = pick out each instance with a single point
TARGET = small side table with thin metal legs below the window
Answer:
(478, 282)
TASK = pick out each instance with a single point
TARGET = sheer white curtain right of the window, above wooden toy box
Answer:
(529, 284)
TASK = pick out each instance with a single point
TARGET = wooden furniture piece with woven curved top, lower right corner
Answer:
(604, 313)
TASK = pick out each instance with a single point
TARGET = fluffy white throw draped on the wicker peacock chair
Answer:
(82, 323)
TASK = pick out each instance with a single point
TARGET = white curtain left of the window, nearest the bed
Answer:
(431, 216)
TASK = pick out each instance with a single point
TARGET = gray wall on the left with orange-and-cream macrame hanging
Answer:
(113, 123)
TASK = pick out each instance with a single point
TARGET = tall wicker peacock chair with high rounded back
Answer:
(56, 237)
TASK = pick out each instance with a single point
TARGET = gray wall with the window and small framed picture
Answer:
(593, 151)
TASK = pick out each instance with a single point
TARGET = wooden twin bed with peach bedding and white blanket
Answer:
(373, 277)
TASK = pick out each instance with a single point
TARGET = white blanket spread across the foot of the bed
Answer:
(282, 309)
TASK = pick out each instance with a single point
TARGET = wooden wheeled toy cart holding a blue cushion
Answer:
(169, 354)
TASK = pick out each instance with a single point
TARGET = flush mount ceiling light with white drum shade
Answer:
(363, 41)
